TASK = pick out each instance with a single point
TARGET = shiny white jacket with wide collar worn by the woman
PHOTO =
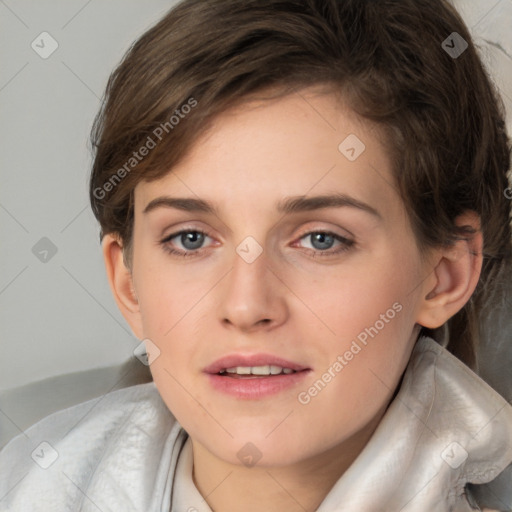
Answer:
(445, 428)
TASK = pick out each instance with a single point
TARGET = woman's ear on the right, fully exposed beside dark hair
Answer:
(454, 278)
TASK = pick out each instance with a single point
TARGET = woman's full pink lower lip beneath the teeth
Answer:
(257, 387)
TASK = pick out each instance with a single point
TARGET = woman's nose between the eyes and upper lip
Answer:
(253, 298)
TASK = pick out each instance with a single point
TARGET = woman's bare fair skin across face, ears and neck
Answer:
(288, 302)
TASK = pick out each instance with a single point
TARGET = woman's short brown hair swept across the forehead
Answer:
(440, 112)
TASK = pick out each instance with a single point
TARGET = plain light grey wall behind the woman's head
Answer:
(56, 311)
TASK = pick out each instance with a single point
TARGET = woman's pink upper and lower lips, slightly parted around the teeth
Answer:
(254, 388)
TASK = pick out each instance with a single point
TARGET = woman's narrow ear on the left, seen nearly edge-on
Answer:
(121, 283)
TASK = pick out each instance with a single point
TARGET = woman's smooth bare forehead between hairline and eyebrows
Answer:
(307, 143)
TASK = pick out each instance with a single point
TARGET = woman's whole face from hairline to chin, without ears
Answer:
(289, 247)
